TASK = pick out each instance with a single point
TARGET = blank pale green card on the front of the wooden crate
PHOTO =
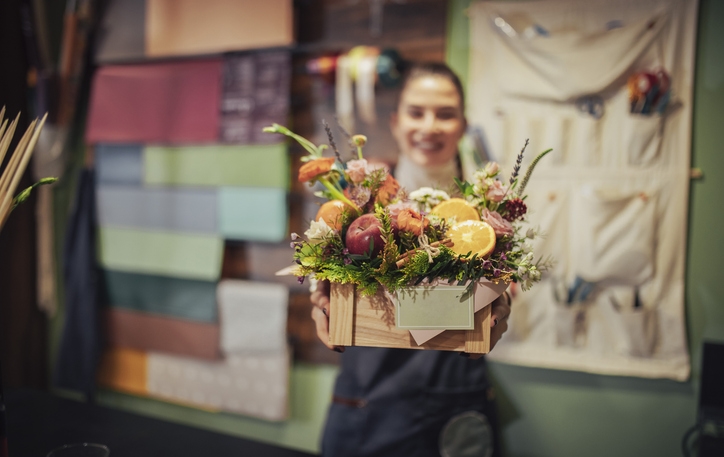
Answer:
(435, 308)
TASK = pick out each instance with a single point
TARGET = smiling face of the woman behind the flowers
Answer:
(429, 120)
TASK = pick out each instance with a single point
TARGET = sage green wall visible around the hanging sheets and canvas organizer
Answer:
(550, 413)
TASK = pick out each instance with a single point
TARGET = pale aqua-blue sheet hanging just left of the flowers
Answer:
(253, 214)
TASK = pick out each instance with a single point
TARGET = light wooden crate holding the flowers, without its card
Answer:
(357, 320)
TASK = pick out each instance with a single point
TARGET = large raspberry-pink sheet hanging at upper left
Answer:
(168, 103)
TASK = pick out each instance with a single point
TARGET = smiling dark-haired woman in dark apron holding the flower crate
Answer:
(397, 402)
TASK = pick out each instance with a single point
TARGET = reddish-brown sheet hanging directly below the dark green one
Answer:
(148, 332)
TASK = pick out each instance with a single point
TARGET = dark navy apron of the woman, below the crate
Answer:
(397, 402)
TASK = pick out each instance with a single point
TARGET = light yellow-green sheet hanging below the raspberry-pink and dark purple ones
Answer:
(218, 165)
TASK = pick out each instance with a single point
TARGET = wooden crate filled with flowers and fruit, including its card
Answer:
(440, 259)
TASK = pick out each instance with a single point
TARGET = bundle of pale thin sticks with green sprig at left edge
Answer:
(17, 163)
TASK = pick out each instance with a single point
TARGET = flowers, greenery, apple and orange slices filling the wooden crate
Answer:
(372, 233)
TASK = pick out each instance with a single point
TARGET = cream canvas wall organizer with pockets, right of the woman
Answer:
(612, 196)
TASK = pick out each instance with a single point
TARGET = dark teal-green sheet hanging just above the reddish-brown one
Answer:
(173, 297)
